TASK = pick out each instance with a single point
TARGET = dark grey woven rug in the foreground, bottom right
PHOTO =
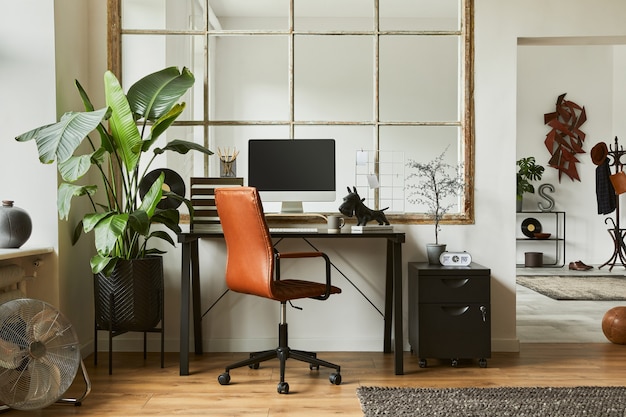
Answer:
(500, 402)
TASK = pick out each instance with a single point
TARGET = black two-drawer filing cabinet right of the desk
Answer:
(450, 312)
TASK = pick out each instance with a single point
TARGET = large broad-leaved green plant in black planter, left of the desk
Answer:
(127, 270)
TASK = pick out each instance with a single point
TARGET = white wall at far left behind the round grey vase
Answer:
(27, 81)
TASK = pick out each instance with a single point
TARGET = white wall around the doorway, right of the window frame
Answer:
(498, 26)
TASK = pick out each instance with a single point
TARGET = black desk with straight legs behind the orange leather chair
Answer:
(190, 287)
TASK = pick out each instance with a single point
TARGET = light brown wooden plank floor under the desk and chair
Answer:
(142, 388)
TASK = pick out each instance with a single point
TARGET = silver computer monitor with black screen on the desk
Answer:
(291, 171)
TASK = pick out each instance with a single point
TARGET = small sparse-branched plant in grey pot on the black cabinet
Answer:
(434, 185)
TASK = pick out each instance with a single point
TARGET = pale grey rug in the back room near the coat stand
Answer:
(577, 287)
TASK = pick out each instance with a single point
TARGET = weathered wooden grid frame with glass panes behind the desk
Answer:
(465, 124)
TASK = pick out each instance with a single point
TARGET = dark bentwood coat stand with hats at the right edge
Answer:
(618, 180)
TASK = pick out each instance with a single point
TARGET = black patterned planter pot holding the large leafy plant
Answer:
(131, 299)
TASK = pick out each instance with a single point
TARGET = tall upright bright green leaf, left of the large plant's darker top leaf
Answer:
(124, 131)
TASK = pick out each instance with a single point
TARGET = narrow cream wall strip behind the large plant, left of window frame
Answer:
(80, 55)
